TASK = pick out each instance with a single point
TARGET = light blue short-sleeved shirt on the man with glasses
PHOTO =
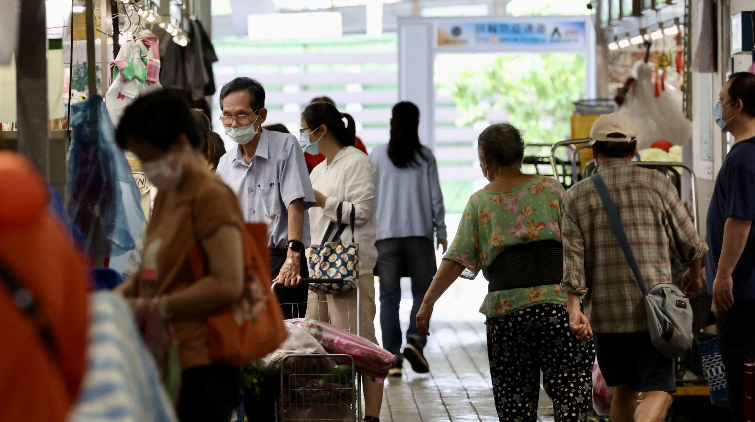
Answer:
(276, 177)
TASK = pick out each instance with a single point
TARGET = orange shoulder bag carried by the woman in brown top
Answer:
(253, 326)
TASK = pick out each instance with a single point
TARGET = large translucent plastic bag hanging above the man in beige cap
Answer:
(656, 118)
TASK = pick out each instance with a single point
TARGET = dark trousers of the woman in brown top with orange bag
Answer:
(209, 393)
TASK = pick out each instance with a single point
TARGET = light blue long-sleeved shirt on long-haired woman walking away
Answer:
(408, 202)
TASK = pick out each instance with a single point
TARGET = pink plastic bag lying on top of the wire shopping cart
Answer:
(372, 360)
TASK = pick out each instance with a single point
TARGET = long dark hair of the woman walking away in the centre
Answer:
(404, 145)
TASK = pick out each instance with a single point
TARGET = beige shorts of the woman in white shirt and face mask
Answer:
(340, 309)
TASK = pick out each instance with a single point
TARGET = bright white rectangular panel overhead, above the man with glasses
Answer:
(295, 26)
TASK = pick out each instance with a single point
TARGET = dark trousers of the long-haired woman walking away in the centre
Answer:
(401, 257)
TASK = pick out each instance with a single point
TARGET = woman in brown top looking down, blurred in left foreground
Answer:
(192, 207)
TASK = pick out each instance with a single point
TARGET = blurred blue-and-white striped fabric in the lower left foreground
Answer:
(121, 383)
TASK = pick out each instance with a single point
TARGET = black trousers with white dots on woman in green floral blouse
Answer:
(531, 340)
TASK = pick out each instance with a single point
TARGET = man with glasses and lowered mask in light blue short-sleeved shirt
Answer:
(268, 174)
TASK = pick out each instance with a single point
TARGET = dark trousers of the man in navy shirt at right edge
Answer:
(736, 339)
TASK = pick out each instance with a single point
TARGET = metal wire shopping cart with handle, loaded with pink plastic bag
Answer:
(322, 387)
